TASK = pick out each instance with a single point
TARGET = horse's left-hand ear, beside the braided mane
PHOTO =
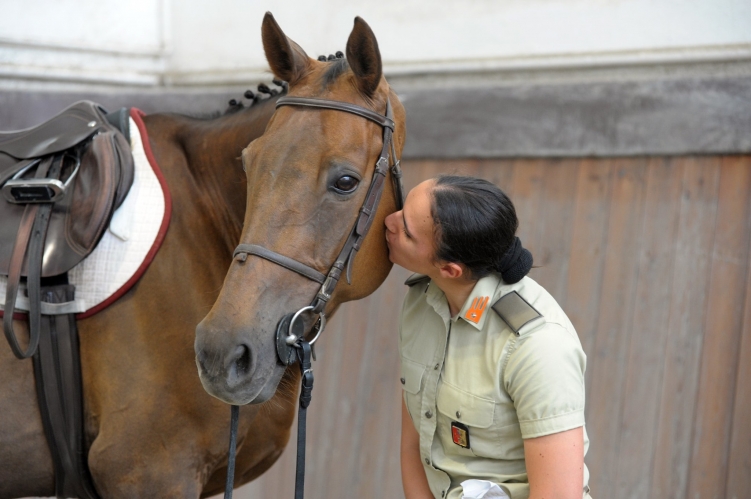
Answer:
(288, 61)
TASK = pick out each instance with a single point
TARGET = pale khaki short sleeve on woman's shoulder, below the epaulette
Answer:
(544, 376)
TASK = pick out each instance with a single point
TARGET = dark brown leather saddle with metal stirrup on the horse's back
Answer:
(61, 181)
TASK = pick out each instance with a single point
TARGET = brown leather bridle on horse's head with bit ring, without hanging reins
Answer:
(353, 243)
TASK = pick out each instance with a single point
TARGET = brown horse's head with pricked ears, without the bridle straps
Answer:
(308, 176)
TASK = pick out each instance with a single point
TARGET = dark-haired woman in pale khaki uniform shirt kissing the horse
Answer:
(492, 369)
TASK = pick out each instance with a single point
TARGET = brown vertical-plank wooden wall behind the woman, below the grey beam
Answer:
(649, 257)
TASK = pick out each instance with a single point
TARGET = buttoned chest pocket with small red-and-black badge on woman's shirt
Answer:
(492, 426)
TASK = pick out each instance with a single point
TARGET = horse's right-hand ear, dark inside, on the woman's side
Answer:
(364, 57)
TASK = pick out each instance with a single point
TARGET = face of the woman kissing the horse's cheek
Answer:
(409, 232)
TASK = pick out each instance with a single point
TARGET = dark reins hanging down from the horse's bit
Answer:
(306, 395)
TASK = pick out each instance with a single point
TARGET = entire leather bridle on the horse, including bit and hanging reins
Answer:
(290, 342)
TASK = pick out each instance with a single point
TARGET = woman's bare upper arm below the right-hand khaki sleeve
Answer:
(555, 465)
